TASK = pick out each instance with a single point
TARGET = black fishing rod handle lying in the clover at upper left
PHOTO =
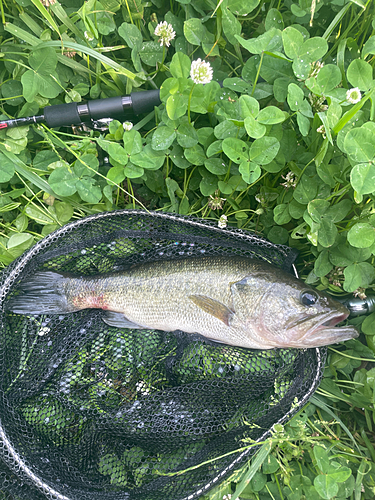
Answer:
(95, 114)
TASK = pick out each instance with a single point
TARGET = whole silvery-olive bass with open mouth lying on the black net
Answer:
(233, 300)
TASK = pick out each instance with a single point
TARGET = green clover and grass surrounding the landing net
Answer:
(282, 147)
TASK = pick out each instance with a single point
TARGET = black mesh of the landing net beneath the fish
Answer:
(90, 411)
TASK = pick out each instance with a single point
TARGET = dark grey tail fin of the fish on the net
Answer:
(43, 293)
